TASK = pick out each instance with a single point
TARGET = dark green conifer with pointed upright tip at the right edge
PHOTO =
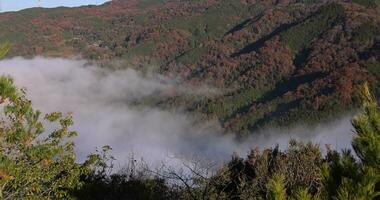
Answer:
(346, 178)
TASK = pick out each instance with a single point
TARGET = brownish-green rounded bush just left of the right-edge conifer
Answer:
(260, 176)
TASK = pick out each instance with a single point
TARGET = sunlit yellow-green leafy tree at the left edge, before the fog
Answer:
(36, 164)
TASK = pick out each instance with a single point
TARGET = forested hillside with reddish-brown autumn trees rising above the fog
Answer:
(277, 62)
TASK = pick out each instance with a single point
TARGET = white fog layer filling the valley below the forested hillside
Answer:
(102, 104)
